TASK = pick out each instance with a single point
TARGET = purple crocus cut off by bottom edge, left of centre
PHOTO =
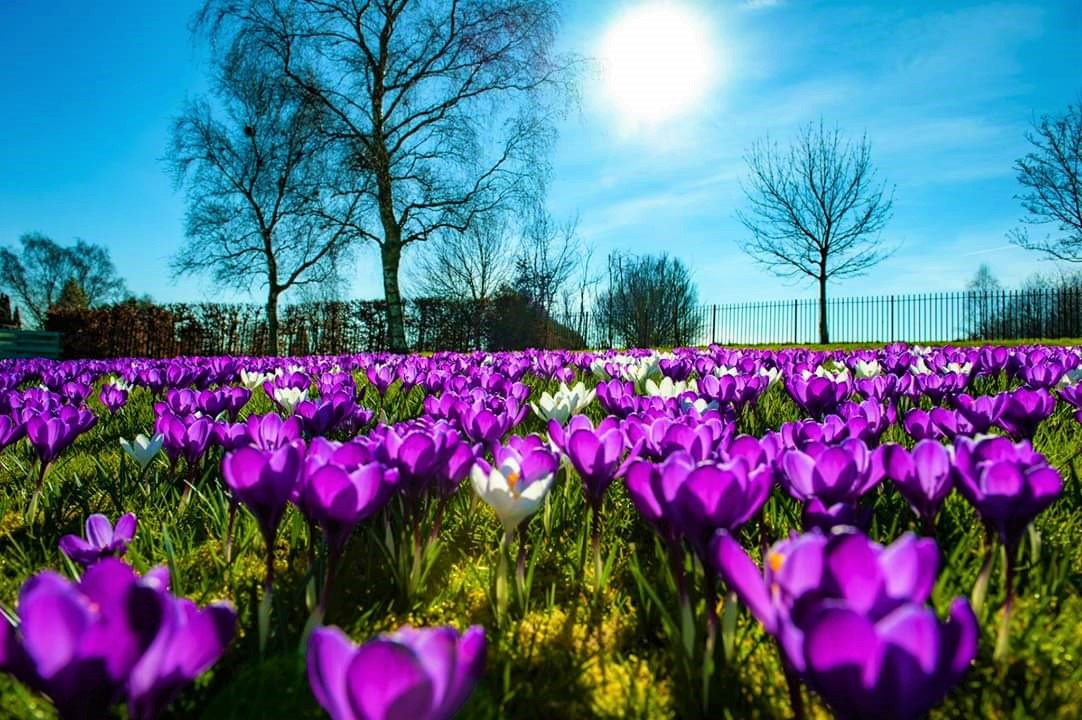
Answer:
(424, 674)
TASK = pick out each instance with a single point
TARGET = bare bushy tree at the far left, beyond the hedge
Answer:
(37, 274)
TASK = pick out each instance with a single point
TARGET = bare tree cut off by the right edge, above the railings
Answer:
(1052, 178)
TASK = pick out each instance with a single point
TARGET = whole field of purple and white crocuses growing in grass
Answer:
(704, 533)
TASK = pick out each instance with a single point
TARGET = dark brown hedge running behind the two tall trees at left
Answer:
(136, 329)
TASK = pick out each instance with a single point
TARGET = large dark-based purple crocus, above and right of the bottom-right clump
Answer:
(1009, 485)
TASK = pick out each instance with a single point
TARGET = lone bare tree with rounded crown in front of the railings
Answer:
(815, 210)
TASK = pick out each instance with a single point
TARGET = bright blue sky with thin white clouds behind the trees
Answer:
(945, 93)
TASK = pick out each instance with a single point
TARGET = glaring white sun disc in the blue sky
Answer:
(658, 62)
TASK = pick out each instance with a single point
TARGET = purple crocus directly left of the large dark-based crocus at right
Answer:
(922, 476)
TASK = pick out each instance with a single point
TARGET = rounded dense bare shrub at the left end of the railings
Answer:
(649, 302)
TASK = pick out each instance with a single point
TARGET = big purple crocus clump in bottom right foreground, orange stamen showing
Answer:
(851, 619)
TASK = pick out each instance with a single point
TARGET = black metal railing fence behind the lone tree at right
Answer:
(928, 318)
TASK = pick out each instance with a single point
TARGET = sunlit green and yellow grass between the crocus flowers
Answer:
(571, 654)
